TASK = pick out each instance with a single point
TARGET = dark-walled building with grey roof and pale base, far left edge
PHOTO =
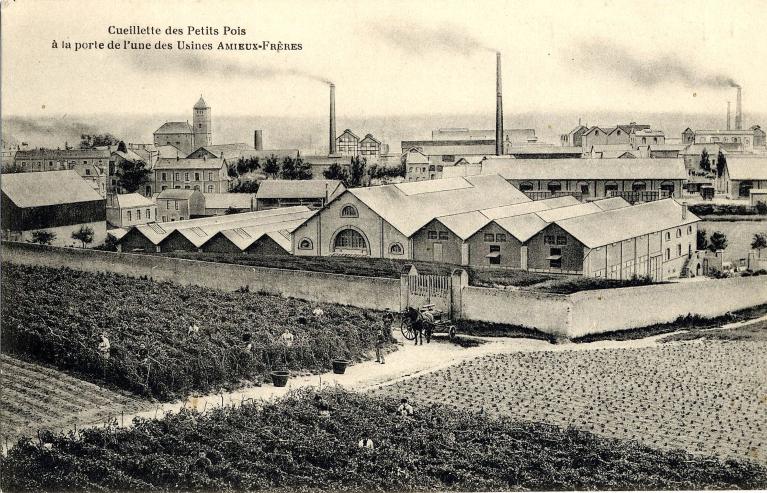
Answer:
(59, 202)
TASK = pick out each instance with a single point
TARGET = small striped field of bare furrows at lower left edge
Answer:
(36, 397)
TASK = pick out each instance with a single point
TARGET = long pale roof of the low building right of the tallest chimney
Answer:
(585, 169)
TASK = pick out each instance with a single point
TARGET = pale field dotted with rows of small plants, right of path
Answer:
(706, 397)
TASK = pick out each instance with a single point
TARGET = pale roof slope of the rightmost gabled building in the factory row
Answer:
(595, 230)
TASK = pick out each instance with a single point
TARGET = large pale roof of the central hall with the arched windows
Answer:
(427, 200)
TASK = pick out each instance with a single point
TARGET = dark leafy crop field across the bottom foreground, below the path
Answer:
(290, 445)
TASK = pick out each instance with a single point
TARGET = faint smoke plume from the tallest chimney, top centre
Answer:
(418, 39)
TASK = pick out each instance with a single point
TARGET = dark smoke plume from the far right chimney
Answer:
(604, 56)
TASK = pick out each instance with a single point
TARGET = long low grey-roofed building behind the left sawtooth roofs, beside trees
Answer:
(288, 193)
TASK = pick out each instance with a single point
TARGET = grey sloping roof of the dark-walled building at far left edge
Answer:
(47, 188)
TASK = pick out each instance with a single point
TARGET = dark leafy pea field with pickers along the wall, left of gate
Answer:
(56, 315)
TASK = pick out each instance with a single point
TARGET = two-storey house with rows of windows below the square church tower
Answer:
(209, 175)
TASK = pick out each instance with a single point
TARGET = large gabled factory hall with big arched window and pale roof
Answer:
(381, 221)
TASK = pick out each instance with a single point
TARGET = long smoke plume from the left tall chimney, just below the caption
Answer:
(188, 63)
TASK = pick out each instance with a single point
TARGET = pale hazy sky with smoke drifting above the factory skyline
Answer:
(389, 58)
